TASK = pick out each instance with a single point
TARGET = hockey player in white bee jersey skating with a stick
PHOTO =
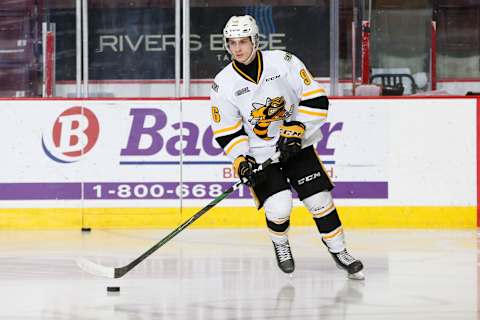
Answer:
(264, 102)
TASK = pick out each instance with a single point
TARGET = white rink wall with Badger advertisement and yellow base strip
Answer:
(396, 162)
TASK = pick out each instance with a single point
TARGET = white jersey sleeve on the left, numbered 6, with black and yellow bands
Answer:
(227, 122)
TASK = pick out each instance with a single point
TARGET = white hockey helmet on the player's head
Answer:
(239, 27)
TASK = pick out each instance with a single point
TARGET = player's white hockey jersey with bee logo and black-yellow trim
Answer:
(247, 113)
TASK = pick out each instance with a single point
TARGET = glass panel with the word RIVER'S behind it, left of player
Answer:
(131, 47)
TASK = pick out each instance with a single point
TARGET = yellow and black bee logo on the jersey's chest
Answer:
(263, 115)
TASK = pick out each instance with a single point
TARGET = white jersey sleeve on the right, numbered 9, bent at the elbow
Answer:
(307, 88)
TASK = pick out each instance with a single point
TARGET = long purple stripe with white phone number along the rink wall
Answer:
(162, 190)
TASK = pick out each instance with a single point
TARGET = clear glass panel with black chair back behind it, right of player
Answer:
(400, 45)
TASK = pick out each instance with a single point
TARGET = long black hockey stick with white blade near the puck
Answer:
(111, 272)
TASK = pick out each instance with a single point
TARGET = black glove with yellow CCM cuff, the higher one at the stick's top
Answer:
(290, 141)
